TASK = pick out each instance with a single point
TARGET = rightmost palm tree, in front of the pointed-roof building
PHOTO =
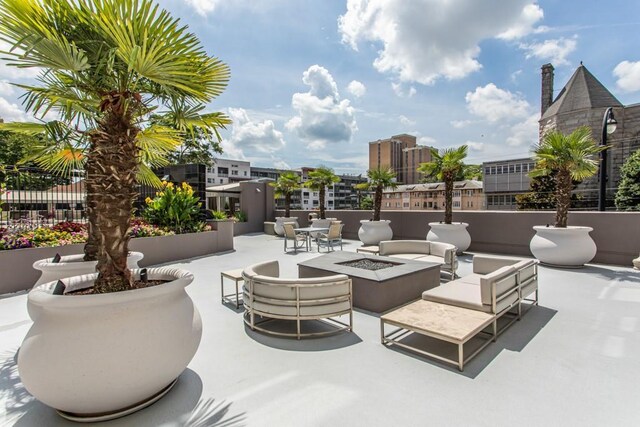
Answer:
(569, 157)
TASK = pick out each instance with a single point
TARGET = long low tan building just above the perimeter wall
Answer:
(467, 195)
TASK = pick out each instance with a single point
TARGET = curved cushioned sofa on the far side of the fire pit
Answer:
(422, 250)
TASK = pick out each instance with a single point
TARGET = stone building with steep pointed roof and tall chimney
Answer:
(583, 102)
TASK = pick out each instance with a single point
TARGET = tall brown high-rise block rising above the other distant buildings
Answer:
(402, 154)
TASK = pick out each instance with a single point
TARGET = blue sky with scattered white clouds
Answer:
(314, 81)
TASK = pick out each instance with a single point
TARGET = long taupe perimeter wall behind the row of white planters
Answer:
(617, 234)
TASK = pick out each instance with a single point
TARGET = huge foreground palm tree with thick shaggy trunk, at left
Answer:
(107, 65)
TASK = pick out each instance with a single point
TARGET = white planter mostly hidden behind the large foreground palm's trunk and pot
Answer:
(74, 265)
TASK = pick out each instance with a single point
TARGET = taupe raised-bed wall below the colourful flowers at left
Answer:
(19, 275)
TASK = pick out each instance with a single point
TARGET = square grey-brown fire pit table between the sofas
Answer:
(392, 283)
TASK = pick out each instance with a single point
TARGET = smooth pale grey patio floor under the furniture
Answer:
(573, 361)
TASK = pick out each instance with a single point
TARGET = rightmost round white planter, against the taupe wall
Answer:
(563, 247)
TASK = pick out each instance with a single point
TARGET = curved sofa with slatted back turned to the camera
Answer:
(267, 296)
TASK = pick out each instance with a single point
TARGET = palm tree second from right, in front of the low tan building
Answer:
(445, 165)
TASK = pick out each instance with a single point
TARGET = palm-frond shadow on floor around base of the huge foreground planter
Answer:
(182, 406)
